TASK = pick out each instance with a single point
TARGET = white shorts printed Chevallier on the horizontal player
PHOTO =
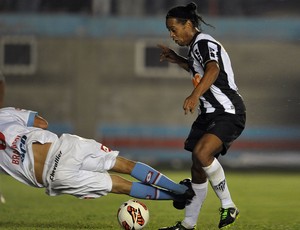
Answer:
(78, 167)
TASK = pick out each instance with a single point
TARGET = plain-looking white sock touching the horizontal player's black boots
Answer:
(193, 209)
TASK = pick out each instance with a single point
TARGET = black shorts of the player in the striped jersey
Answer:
(225, 126)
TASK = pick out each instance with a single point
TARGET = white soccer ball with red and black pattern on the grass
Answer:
(133, 215)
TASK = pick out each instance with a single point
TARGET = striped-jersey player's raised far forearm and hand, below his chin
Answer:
(171, 56)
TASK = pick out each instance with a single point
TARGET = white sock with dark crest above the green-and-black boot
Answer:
(216, 176)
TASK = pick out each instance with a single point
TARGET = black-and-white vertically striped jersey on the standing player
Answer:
(223, 95)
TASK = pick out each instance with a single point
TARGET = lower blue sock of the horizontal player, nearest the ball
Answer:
(146, 191)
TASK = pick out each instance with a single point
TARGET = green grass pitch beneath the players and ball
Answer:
(267, 201)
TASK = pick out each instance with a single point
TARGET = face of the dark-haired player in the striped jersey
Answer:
(180, 33)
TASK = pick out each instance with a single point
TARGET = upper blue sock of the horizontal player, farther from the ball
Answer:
(149, 175)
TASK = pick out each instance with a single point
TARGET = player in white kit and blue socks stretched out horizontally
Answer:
(73, 165)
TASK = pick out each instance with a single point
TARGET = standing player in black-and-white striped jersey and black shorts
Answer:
(222, 113)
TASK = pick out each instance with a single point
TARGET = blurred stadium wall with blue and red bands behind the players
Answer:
(91, 67)
